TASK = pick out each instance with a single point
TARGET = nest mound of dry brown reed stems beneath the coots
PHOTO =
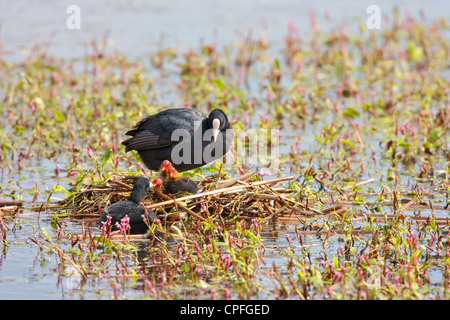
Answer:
(244, 197)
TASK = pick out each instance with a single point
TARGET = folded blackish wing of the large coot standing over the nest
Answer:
(156, 131)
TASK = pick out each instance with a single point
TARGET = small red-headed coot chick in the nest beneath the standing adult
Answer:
(172, 181)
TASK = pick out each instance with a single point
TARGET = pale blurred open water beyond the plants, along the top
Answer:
(135, 27)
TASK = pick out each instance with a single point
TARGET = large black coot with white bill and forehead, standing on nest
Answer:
(188, 138)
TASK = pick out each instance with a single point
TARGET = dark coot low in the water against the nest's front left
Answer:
(132, 208)
